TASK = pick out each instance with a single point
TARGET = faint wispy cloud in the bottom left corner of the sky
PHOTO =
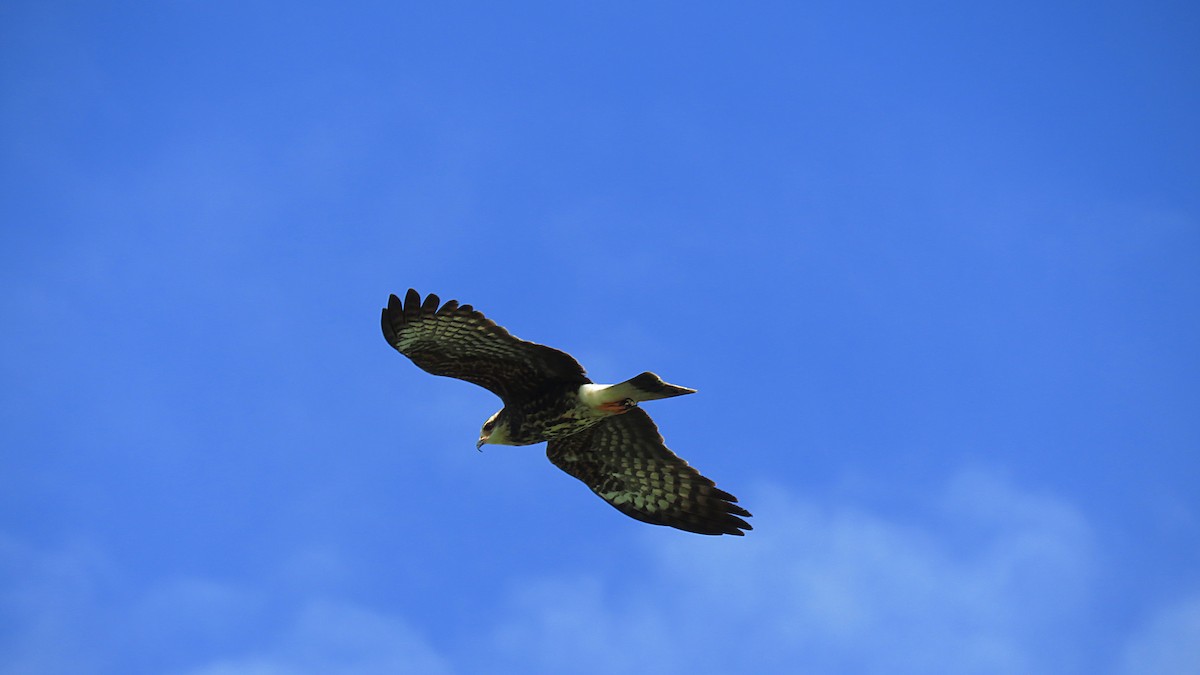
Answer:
(73, 613)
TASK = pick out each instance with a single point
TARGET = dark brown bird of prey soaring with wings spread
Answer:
(597, 433)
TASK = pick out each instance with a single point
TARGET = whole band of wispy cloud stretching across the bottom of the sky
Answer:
(988, 578)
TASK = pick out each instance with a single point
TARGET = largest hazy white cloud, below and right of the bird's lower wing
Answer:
(820, 588)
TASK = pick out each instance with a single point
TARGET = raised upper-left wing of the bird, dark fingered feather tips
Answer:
(459, 342)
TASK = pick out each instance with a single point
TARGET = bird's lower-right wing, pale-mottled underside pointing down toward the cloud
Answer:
(627, 464)
